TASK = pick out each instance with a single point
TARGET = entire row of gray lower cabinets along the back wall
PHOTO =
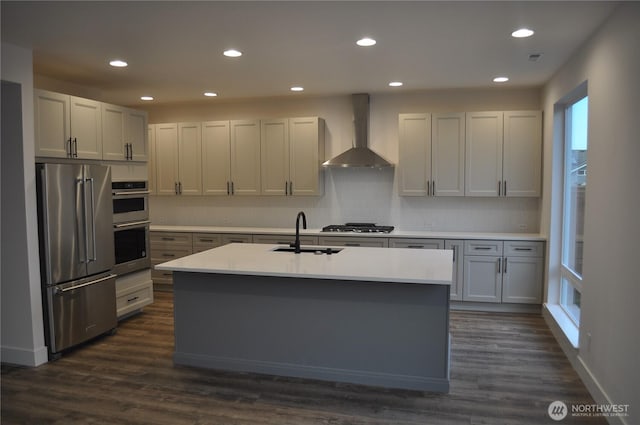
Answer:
(490, 271)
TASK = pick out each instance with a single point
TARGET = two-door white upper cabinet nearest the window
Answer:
(503, 153)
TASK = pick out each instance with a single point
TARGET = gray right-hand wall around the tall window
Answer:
(610, 63)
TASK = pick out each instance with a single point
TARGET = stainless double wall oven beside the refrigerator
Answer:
(131, 226)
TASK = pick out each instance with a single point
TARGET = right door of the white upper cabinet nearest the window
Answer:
(522, 155)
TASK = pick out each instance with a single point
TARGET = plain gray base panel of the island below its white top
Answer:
(386, 334)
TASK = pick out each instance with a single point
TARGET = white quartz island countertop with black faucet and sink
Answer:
(402, 265)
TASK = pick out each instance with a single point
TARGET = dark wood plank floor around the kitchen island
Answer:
(506, 369)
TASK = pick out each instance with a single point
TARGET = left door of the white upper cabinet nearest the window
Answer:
(483, 172)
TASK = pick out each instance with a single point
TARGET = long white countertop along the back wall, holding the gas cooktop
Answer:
(318, 232)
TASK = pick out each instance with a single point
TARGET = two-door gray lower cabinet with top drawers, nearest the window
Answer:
(507, 272)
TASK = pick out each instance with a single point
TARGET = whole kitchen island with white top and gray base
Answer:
(362, 315)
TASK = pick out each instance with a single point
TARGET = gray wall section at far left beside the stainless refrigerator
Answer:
(22, 339)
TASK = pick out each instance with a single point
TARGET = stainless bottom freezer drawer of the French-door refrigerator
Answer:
(81, 310)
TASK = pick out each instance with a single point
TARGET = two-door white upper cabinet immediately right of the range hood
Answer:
(431, 153)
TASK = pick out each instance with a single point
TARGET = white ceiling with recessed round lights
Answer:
(174, 48)
